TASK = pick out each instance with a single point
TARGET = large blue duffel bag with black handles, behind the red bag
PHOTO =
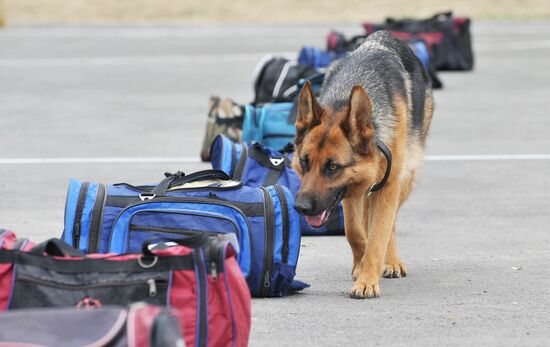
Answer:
(119, 218)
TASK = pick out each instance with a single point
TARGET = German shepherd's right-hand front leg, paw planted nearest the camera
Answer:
(382, 211)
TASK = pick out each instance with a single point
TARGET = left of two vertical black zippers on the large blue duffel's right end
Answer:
(265, 282)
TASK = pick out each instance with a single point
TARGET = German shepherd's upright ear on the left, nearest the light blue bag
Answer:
(309, 112)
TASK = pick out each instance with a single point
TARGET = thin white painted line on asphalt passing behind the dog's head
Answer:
(146, 160)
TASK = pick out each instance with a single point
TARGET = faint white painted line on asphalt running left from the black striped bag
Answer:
(169, 59)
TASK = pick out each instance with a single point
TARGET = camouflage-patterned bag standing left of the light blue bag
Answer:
(224, 117)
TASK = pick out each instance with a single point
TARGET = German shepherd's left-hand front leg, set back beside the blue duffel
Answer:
(355, 222)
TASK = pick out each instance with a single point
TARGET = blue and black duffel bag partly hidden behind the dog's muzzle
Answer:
(259, 166)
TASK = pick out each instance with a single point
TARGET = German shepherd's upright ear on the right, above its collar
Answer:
(357, 123)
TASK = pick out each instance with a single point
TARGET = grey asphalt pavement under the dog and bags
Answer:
(102, 103)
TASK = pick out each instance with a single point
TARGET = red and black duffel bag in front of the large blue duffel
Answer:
(198, 276)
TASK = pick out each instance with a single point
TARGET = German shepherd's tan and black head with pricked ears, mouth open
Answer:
(334, 152)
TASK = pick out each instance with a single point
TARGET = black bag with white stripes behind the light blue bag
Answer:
(276, 79)
